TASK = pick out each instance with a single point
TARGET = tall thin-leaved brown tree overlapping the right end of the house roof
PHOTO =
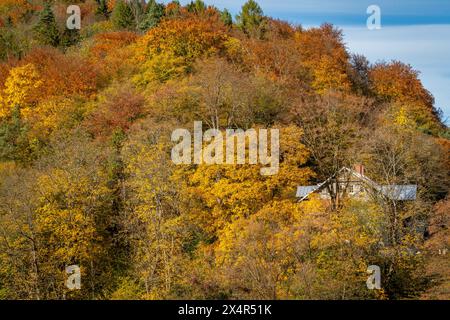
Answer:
(398, 155)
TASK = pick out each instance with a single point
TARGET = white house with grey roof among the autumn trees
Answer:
(354, 183)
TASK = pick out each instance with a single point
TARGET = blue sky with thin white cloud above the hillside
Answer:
(413, 31)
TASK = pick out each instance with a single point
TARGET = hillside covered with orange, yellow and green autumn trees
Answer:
(86, 176)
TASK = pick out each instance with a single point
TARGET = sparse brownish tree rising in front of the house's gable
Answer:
(332, 129)
